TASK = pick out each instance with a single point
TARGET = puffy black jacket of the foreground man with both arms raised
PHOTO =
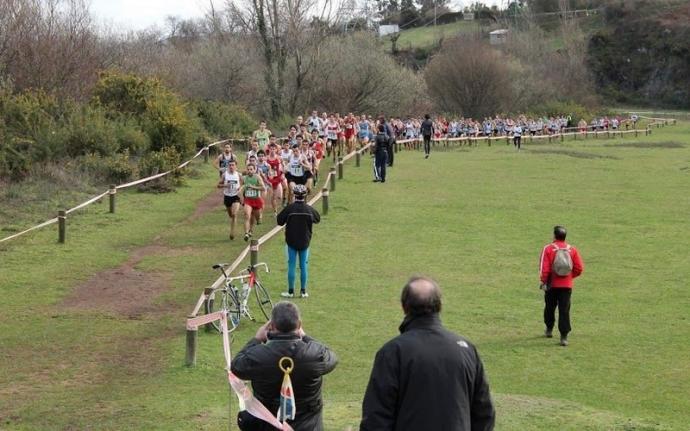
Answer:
(258, 362)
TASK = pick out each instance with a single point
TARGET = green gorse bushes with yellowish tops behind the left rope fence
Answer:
(132, 126)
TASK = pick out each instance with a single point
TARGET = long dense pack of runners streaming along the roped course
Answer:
(273, 167)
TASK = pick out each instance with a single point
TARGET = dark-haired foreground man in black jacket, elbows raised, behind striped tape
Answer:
(283, 336)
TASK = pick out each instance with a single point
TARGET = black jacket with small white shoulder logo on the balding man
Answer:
(427, 378)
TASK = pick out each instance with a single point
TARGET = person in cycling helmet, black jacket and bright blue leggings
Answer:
(298, 218)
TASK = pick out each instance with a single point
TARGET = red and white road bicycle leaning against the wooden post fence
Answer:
(233, 300)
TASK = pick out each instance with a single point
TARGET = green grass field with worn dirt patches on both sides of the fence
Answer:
(474, 218)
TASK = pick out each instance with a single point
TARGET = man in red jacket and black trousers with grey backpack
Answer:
(560, 263)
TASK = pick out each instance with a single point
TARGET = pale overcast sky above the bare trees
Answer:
(139, 14)
